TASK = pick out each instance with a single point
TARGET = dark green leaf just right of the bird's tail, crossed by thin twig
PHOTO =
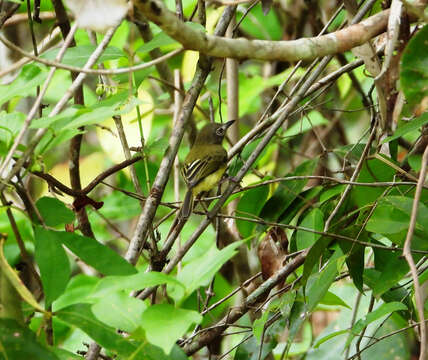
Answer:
(251, 204)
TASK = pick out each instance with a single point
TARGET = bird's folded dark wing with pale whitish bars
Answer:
(195, 171)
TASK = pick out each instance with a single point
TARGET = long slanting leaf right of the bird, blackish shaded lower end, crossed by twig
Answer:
(286, 192)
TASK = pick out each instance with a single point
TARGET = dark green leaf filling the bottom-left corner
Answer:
(17, 342)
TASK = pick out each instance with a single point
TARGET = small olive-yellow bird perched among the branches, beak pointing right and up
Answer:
(205, 163)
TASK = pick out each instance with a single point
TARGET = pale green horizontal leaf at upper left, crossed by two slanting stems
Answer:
(79, 55)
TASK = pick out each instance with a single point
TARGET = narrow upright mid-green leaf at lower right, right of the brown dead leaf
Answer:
(319, 283)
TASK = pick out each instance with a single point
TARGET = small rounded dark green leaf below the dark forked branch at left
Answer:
(54, 212)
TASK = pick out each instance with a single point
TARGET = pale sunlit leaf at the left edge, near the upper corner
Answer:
(31, 76)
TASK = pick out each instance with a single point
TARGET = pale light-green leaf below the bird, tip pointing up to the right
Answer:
(199, 272)
